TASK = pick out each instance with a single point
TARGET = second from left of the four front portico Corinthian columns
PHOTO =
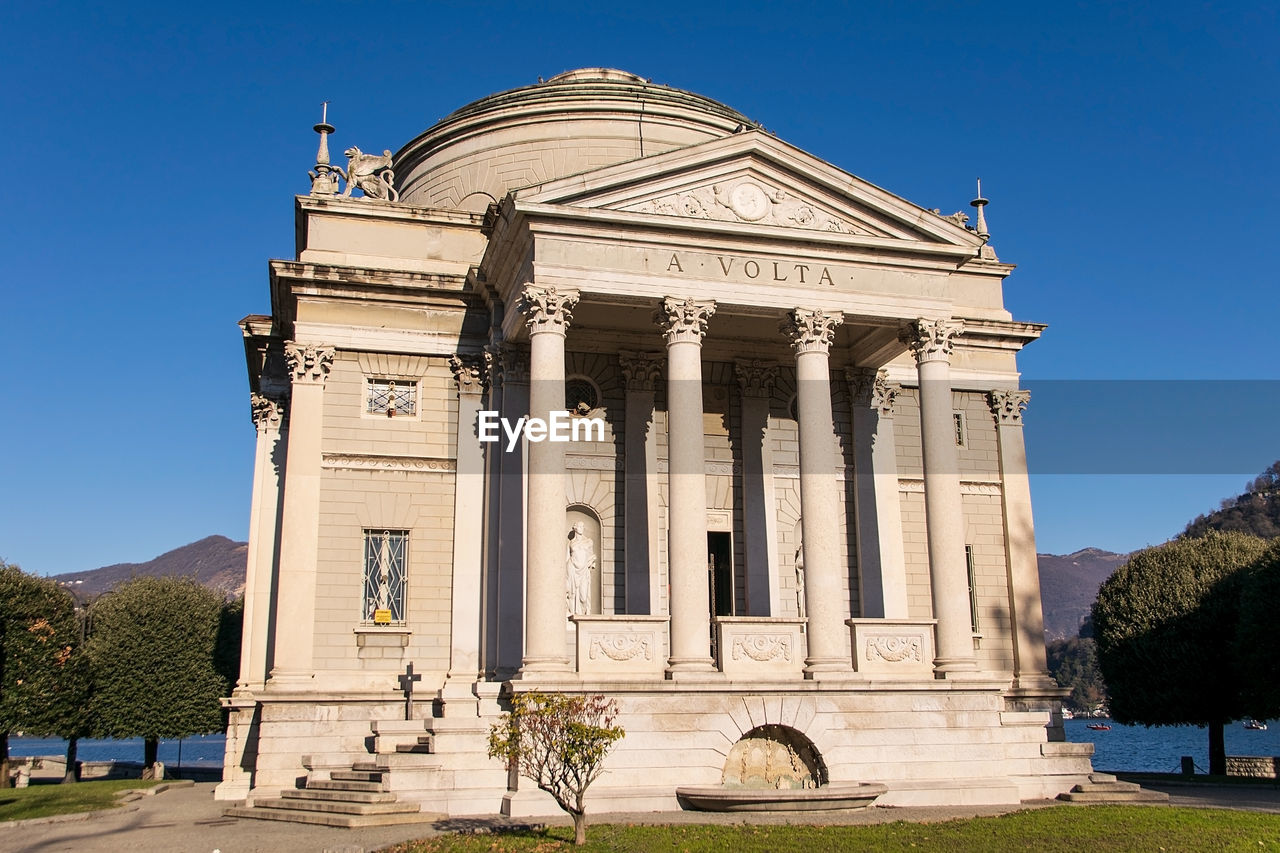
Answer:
(684, 323)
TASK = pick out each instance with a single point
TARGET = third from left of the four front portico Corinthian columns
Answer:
(812, 334)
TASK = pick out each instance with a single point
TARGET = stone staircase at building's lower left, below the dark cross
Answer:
(404, 777)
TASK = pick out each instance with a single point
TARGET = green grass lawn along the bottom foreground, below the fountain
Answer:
(1045, 831)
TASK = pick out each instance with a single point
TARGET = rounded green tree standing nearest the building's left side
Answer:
(153, 647)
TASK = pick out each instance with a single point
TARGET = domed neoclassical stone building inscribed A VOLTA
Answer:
(796, 542)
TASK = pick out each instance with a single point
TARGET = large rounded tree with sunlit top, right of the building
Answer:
(1165, 624)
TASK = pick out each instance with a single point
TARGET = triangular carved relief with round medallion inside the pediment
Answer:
(749, 200)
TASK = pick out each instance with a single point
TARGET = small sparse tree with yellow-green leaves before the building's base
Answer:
(560, 742)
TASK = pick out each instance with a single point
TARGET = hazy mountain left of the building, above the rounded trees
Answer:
(218, 563)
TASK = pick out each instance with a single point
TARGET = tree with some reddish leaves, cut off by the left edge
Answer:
(43, 681)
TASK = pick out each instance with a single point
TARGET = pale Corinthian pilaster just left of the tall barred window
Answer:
(300, 528)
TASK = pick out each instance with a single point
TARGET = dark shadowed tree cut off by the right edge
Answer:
(1258, 640)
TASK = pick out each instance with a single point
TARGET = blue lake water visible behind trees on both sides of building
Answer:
(1132, 749)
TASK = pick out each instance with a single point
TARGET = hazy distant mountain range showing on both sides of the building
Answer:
(1068, 583)
